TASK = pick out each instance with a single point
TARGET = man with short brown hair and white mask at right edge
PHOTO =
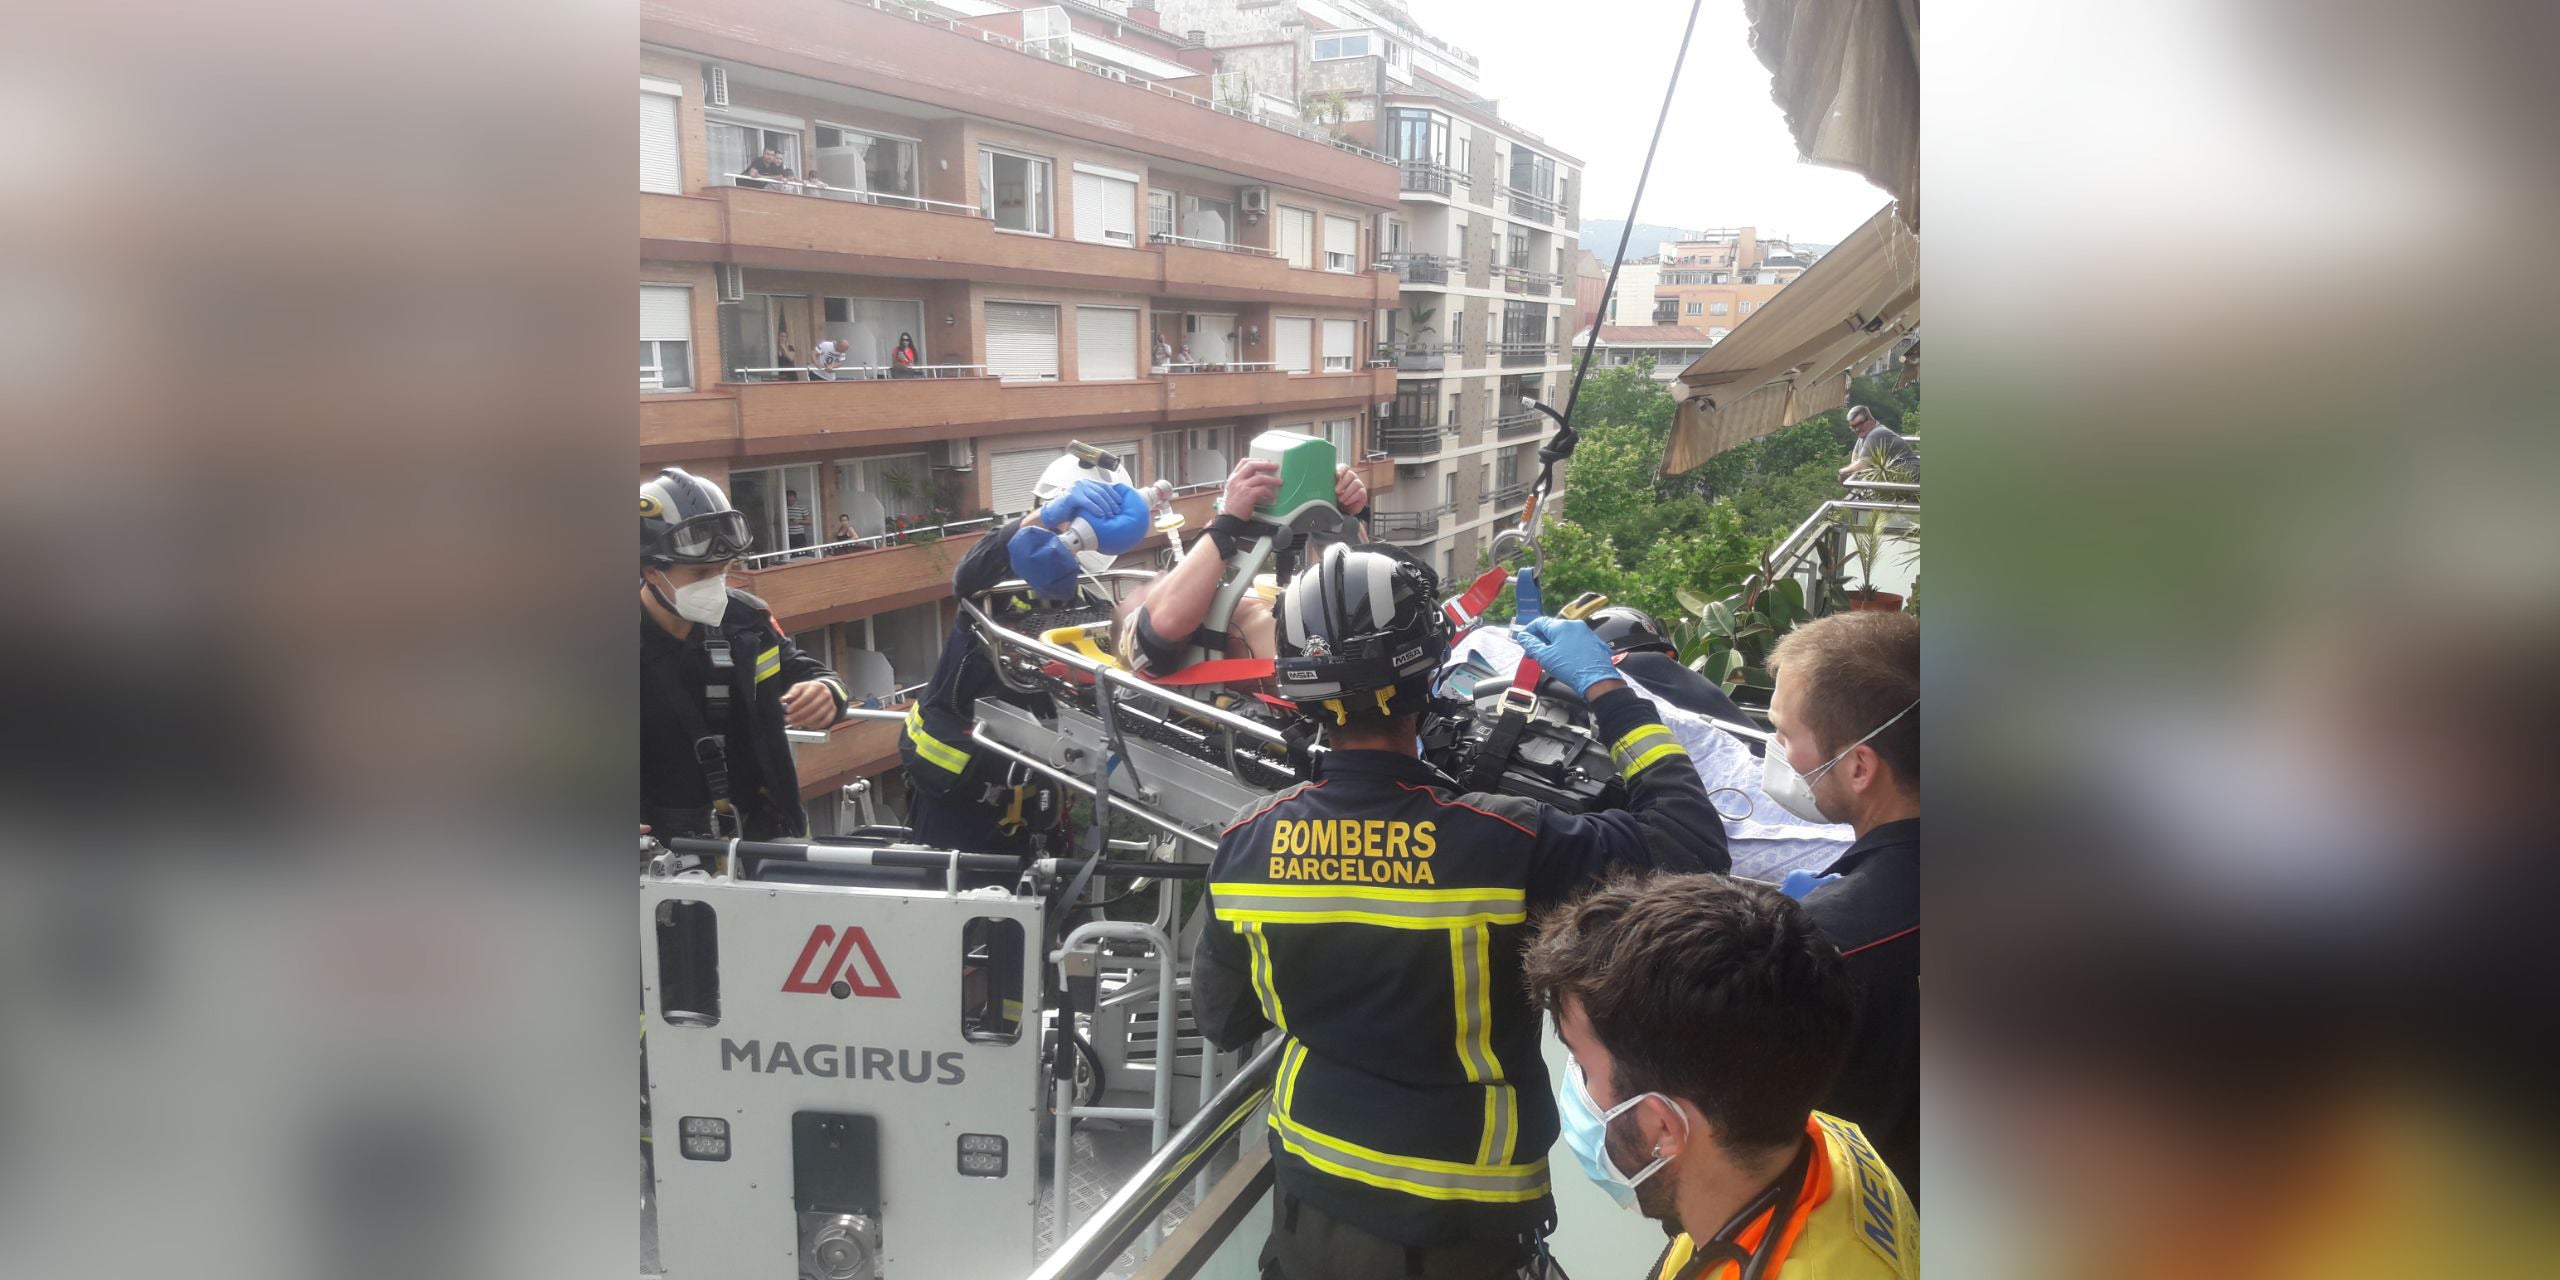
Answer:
(1847, 749)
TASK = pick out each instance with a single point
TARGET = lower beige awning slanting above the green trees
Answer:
(1793, 357)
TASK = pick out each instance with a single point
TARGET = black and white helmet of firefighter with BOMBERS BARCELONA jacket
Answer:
(1361, 631)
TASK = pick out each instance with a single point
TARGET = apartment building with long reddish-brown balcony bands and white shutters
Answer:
(1005, 214)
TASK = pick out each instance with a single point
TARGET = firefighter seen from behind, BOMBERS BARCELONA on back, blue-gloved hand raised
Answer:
(1376, 915)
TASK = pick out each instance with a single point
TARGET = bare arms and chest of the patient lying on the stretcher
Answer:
(1156, 628)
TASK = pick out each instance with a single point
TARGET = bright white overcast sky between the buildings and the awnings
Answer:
(1588, 78)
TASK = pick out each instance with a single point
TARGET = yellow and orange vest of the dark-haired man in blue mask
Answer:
(1850, 1222)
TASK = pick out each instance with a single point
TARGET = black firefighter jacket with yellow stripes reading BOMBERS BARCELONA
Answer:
(1376, 918)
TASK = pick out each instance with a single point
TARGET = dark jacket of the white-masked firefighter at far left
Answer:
(677, 792)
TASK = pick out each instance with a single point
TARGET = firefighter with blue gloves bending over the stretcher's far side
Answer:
(961, 795)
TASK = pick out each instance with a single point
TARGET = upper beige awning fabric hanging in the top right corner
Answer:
(1847, 73)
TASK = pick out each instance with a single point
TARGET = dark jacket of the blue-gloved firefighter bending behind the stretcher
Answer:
(964, 797)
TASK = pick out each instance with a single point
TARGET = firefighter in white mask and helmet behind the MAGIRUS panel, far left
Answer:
(718, 680)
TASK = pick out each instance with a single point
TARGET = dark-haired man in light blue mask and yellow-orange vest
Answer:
(1704, 1018)
